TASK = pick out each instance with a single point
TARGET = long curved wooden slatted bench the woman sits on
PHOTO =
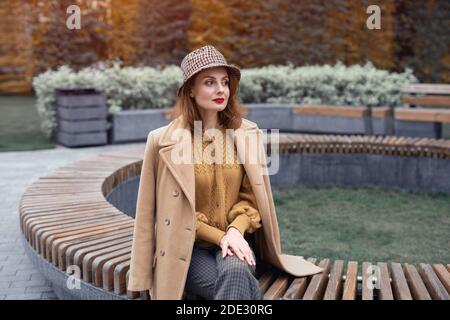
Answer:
(66, 221)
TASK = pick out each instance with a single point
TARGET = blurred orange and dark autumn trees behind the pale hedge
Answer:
(250, 33)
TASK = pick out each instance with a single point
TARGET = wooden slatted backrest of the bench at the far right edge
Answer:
(426, 94)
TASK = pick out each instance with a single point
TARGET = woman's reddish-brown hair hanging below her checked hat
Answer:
(229, 118)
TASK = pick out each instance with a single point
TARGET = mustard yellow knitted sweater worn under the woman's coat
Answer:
(223, 194)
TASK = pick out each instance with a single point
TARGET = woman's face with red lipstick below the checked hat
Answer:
(211, 89)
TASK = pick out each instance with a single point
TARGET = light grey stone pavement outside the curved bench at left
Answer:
(18, 277)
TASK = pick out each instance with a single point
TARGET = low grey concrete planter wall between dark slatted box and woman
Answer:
(133, 126)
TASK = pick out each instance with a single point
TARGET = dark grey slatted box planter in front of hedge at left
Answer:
(81, 115)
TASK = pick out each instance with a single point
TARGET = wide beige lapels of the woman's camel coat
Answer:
(184, 172)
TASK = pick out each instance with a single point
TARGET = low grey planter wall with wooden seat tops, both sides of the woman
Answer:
(134, 126)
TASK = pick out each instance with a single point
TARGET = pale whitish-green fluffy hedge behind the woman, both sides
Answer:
(132, 88)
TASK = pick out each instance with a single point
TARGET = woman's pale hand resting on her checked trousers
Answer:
(234, 240)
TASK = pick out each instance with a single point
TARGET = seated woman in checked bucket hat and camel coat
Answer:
(205, 214)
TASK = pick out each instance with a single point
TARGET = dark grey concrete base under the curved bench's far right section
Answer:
(364, 170)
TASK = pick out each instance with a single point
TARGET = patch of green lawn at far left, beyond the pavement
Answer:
(19, 125)
